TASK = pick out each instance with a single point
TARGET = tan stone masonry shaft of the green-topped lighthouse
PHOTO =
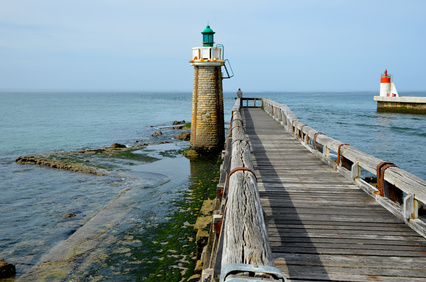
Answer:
(207, 134)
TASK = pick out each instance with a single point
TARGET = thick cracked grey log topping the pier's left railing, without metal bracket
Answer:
(245, 238)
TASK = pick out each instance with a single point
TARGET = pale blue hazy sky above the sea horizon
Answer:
(138, 45)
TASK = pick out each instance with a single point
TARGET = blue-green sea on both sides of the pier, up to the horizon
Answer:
(35, 199)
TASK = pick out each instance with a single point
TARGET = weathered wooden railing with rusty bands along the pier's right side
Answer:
(400, 192)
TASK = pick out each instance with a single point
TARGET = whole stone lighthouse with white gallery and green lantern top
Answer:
(207, 127)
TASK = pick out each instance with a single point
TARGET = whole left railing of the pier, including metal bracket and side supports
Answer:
(240, 248)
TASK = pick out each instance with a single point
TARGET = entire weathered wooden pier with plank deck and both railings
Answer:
(320, 219)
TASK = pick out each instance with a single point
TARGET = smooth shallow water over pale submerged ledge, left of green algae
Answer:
(145, 200)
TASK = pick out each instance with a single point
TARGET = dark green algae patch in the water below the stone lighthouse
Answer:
(164, 249)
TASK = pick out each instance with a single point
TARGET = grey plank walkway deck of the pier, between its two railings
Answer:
(322, 227)
